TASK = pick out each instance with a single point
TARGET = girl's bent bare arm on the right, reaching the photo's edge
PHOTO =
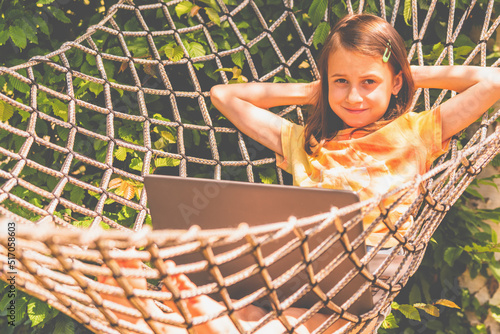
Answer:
(478, 88)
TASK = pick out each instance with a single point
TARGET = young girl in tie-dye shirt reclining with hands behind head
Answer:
(360, 134)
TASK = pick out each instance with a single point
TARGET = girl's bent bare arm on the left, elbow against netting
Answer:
(245, 105)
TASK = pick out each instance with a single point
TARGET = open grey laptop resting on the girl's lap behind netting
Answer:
(179, 203)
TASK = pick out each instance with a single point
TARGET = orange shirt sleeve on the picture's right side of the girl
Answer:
(428, 126)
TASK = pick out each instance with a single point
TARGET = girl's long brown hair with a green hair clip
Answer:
(368, 35)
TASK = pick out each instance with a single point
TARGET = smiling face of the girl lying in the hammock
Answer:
(360, 87)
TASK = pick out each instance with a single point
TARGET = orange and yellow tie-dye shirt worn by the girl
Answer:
(367, 163)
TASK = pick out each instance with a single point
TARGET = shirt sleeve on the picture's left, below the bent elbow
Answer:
(292, 138)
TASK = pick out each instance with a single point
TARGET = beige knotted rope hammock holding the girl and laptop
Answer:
(150, 111)
